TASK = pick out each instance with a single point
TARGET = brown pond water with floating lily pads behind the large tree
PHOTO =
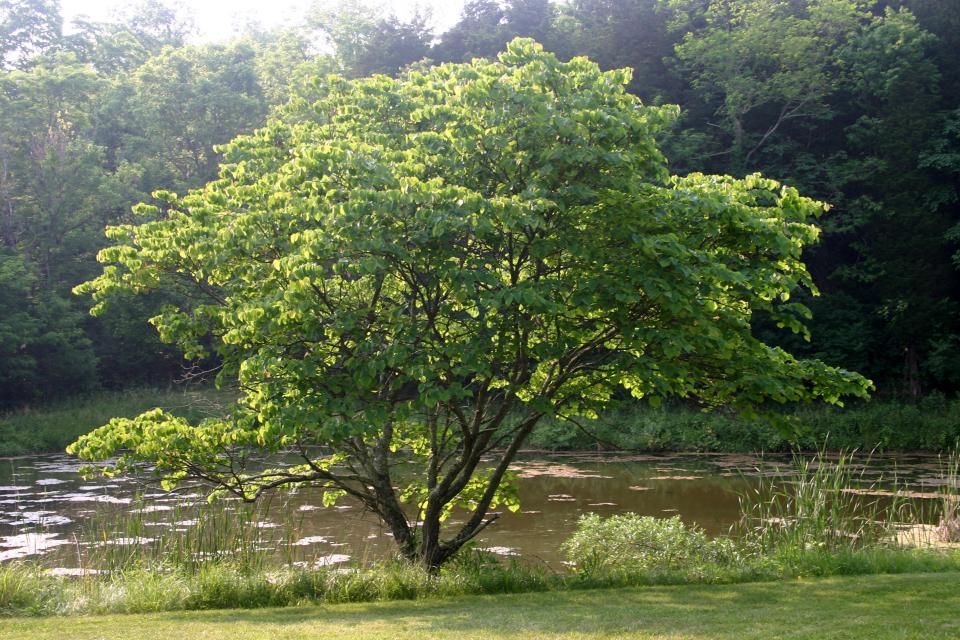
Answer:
(47, 510)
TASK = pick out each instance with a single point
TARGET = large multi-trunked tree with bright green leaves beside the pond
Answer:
(428, 266)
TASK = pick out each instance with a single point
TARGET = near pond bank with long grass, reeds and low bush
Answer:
(825, 517)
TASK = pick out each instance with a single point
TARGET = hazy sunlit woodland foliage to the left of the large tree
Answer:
(90, 123)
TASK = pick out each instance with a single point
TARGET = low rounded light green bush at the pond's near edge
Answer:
(632, 544)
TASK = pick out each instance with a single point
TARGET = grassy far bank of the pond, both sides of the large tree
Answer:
(931, 425)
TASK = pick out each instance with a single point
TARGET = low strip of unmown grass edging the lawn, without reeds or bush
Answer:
(27, 590)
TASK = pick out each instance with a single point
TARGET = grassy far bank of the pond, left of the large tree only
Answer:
(51, 427)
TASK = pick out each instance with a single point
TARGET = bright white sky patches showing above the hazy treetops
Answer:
(218, 20)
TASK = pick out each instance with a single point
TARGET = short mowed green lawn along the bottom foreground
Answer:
(874, 607)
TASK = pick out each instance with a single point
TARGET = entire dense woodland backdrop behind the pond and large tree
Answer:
(854, 102)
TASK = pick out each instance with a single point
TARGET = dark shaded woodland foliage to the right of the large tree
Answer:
(849, 112)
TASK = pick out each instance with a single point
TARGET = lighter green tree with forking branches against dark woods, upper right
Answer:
(764, 64)
